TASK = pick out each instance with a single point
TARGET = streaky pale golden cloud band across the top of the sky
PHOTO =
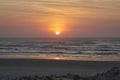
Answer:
(56, 7)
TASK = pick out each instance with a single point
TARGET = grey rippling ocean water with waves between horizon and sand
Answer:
(62, 48)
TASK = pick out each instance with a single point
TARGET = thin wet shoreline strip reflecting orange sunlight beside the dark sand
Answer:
(56, 57)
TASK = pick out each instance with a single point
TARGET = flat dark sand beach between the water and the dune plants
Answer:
(38, 66)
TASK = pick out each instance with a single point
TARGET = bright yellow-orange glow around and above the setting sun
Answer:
(57, 24)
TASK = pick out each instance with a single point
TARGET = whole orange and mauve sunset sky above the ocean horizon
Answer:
(72, 18)
